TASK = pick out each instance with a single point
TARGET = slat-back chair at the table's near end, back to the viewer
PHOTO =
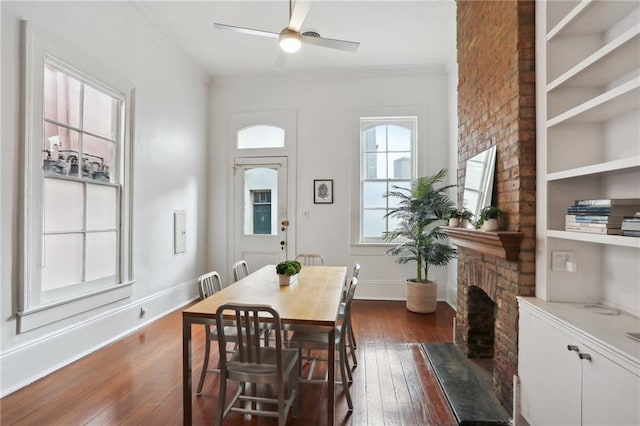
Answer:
(257, 364)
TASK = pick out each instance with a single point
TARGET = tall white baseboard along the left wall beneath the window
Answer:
(25, 364)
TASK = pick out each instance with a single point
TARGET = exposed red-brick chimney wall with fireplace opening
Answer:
(496, 106)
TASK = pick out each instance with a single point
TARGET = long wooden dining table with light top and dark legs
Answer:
(312, 300)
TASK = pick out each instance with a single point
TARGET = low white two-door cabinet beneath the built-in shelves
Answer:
(571, 377)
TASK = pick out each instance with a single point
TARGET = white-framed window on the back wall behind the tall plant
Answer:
(387, 159)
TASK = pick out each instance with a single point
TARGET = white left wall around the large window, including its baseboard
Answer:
(170, 172)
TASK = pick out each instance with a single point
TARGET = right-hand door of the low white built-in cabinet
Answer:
(611, 393)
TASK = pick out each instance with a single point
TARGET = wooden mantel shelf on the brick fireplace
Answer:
(502, 244)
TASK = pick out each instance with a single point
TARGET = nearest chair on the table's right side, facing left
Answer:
(317, 341)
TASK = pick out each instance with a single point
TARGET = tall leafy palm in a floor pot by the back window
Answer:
(421, 211)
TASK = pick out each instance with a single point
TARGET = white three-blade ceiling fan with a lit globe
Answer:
(290, 38)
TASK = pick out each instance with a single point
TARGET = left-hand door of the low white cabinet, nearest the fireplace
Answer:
(549, 373)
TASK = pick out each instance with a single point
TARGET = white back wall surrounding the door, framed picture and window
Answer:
(327, 105)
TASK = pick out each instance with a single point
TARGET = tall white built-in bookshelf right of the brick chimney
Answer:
(588, 133)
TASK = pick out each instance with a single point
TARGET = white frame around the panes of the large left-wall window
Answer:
(33, 310)
